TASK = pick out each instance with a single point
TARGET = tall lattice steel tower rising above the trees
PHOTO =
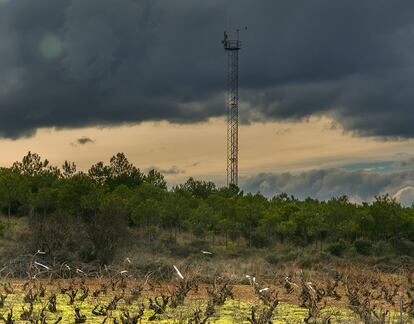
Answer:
(232, 48)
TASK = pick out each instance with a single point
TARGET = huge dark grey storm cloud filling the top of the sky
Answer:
(73, 63)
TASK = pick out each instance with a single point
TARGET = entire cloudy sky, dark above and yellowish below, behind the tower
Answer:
(325, 90)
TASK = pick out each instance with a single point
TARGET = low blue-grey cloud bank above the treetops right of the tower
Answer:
(359, 185)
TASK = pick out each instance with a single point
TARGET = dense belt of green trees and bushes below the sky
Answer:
(90, 215)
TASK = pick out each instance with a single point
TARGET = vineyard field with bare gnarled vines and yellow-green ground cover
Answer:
(73, 296)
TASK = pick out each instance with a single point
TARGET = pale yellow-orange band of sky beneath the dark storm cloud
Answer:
(264, 147)
